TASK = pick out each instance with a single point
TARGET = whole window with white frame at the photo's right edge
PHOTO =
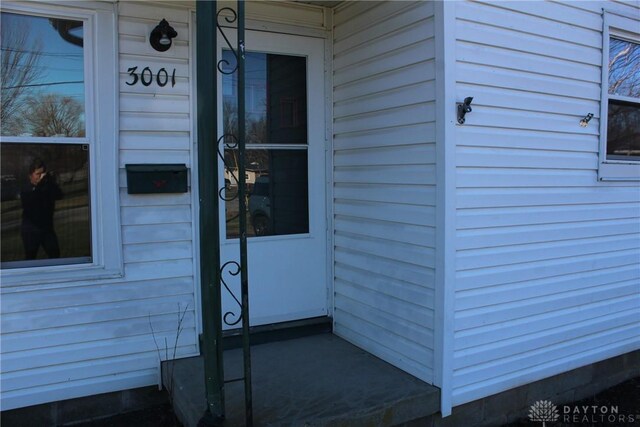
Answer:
(620, 111)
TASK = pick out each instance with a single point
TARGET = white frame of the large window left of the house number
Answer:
(101, 101)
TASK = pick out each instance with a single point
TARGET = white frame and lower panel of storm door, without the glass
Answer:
(292, 282)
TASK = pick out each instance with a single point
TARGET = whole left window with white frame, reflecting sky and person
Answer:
(57, 200)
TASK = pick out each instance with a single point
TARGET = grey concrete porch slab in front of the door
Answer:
(319, 380)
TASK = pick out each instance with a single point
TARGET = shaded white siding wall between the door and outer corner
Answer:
(384, 180)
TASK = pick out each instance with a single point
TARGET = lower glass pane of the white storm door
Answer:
(277, 193)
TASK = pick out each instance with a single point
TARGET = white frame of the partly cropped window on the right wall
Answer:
(614, 170)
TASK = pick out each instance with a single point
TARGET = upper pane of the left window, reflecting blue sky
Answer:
(42, 76)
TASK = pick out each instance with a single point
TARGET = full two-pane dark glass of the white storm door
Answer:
(277, 145)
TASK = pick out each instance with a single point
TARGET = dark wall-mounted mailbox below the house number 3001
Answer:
(156, 178)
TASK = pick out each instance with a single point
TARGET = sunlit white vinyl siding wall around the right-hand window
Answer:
(548, 275)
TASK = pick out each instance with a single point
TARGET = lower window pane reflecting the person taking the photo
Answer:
(45, 213)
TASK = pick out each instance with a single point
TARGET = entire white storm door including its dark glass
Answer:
(285, 178)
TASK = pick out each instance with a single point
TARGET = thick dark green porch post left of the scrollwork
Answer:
(206, 57)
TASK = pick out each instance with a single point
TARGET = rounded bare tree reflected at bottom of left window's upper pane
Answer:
(54, 115)
